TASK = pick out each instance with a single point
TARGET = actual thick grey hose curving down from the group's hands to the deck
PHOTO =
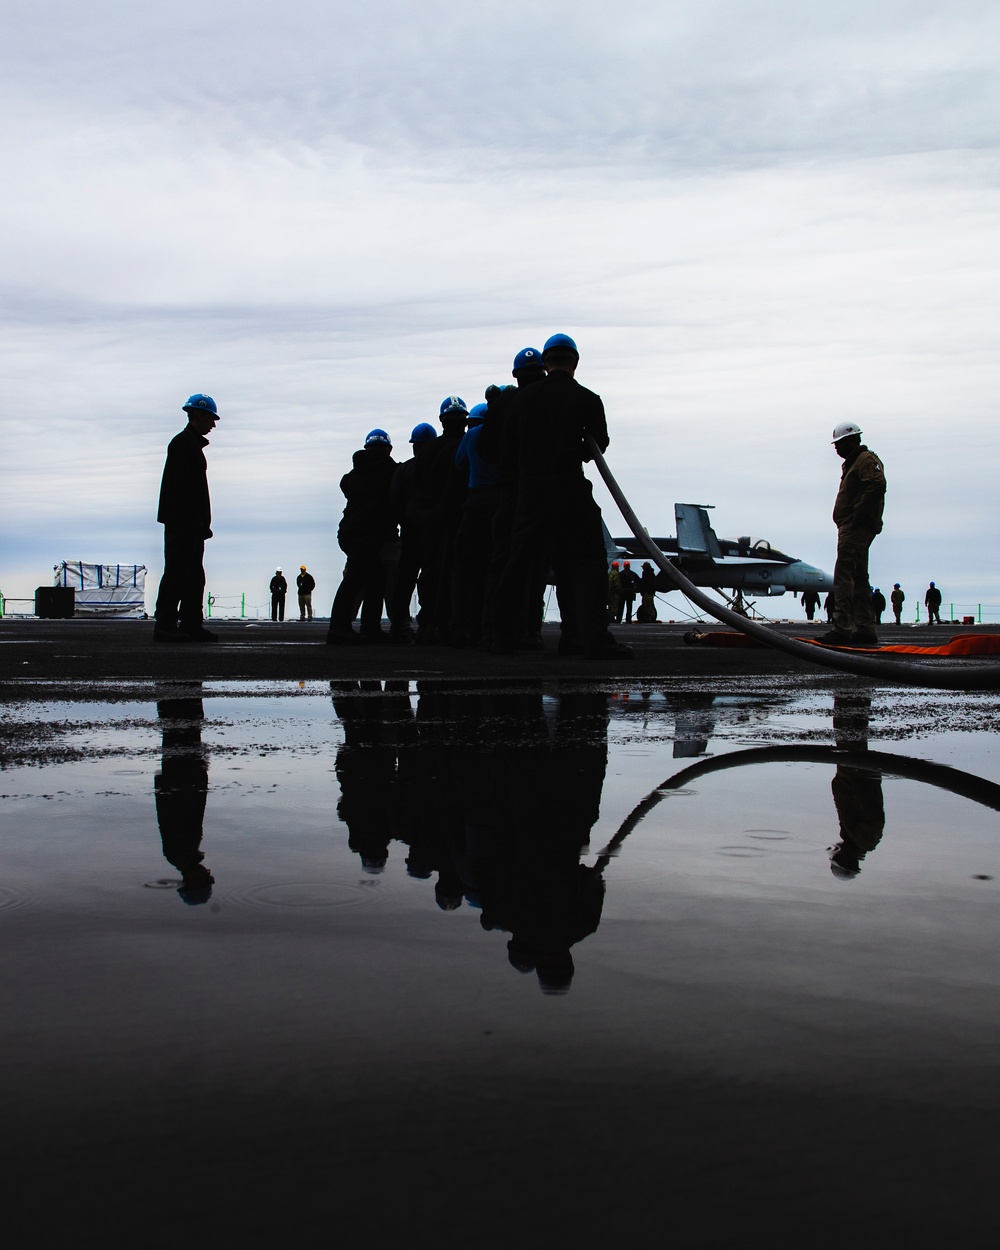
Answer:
(967, 676)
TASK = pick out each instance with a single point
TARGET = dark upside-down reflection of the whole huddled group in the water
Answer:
(497, 794)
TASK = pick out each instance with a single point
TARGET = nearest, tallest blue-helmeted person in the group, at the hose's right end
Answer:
(556, 511)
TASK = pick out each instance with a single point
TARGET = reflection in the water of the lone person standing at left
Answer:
(181, 789)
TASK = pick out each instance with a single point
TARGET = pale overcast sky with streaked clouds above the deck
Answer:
(757, 219)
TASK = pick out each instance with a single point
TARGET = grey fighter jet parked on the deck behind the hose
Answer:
(746, 566)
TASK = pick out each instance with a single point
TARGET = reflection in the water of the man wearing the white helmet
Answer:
(858, 792)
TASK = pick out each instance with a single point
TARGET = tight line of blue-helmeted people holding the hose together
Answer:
(479, 516)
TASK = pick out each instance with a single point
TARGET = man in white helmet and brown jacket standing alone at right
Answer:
(858, 516)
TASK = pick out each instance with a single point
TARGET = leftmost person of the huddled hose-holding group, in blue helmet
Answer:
(369, 538)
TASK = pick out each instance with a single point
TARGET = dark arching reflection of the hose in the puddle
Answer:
(967, 786)
